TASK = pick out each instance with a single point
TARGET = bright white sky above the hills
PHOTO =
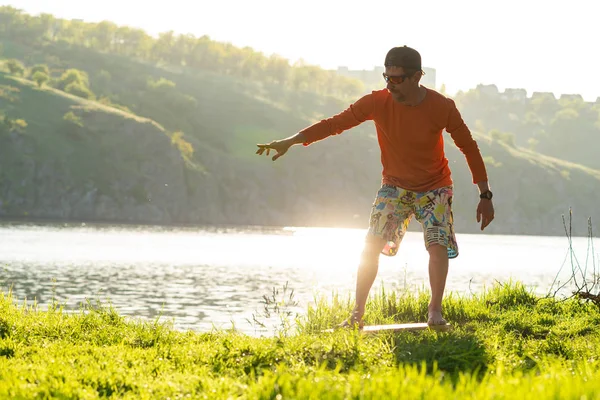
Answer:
(533, 44)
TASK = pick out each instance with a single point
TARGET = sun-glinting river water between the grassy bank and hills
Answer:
(210, 277)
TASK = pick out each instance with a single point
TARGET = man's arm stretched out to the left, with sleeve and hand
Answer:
(354, 115)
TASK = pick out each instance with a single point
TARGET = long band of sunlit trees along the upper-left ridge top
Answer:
(198, 53)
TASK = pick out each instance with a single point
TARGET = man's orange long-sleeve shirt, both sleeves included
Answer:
(410, 138)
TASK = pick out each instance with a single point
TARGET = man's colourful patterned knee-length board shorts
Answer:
(394, 207)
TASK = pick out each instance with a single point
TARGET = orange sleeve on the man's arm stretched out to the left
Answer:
(357, 113)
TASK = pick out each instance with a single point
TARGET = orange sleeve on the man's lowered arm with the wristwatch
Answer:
(463, 139)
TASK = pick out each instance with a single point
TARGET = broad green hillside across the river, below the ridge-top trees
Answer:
(155, 142)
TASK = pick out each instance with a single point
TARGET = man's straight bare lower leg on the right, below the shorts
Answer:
(438, 271)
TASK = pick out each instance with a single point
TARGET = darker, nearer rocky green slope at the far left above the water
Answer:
(87, 167)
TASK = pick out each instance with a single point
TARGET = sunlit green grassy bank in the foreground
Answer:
(507, 343)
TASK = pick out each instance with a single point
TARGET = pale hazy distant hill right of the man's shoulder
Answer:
(567, 127)
